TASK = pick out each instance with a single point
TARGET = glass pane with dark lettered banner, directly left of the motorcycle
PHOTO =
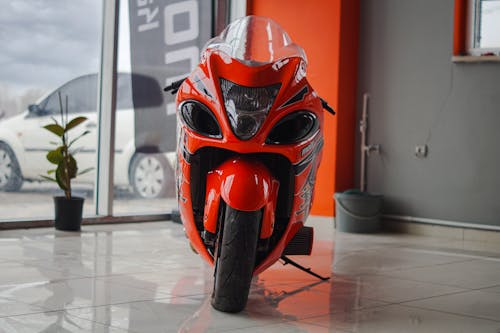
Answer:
(159, 42)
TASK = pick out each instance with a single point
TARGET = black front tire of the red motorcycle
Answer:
(235, 260)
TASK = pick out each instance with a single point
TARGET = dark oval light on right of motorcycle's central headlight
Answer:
(293, 128)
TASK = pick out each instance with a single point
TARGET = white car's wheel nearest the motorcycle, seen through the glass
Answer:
(151, 176)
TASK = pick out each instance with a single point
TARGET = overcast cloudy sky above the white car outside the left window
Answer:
(47, 42)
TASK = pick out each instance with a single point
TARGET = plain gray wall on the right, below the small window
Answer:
(419, 96)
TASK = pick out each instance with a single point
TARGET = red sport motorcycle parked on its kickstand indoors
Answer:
(250, 143)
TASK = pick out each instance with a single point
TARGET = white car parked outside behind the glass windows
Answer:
(24, 143)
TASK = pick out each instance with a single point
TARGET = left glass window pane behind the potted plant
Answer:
(47, 46)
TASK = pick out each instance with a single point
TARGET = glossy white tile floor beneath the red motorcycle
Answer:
(144, 278)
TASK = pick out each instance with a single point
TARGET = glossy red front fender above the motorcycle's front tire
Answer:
(244, 184)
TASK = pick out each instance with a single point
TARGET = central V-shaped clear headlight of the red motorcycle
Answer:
(247, 107)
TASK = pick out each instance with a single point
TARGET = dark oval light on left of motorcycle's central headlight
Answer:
(200, 119)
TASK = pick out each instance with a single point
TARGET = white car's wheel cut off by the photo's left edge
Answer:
(10, 173)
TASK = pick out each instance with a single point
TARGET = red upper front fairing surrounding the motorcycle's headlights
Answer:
(216, 66)
